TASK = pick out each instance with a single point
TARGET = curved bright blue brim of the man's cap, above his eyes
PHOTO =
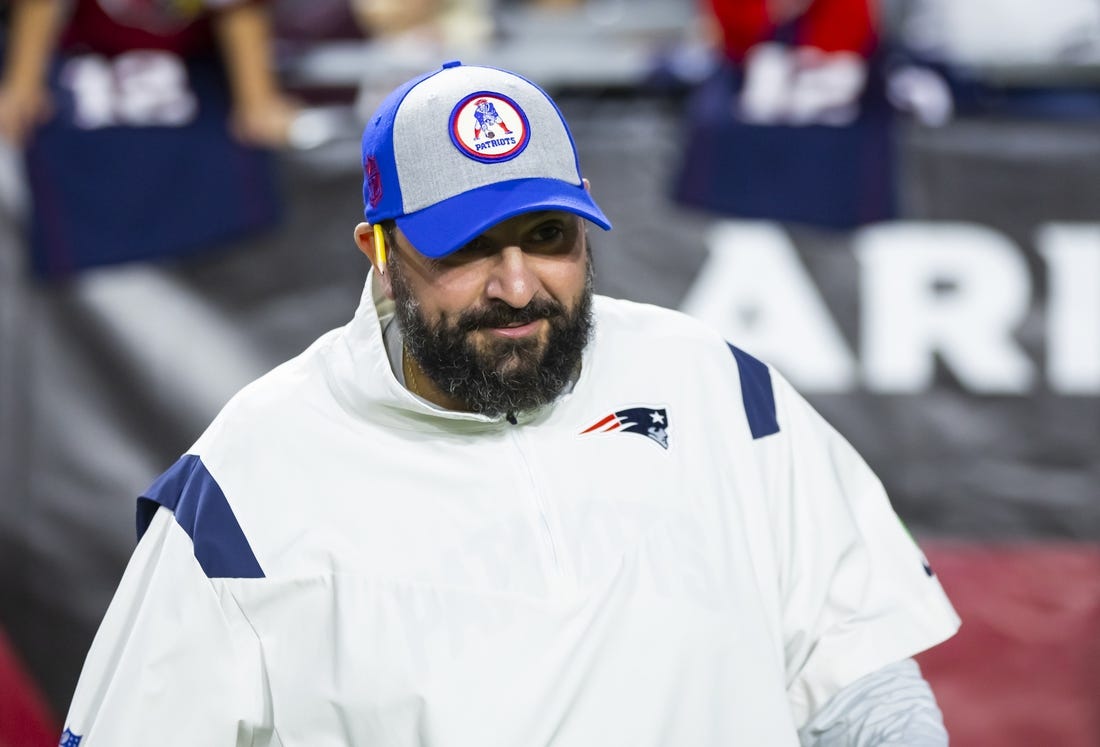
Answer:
(449, 226)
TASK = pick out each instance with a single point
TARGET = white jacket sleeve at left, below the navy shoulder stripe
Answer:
(175, 662)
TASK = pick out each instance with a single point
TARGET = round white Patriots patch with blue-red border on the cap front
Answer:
(489, 127)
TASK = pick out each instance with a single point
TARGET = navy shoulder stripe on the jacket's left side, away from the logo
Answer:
(201, 508)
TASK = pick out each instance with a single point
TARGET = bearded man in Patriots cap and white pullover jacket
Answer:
(498, 510)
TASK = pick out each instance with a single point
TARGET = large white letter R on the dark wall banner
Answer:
(958, 291)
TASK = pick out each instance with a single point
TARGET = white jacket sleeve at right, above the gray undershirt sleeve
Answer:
(856, 592)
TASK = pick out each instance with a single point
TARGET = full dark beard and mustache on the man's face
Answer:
(505, 377)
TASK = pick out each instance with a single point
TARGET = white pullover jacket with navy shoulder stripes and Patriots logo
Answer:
(680, 552)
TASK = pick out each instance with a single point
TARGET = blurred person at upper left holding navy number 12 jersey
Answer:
(167, 104)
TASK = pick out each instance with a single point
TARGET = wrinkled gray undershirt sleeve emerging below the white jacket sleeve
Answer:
(893, 707)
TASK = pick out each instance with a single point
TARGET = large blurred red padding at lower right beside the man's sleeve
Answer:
(1025, 669)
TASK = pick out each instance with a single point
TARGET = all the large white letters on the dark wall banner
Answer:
(960, 292)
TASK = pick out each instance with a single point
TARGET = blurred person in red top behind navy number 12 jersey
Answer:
(794, 125)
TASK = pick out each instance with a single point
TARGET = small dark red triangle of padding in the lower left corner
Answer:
(25, 719)
